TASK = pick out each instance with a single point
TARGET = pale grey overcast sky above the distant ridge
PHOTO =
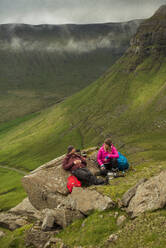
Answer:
(75, 11)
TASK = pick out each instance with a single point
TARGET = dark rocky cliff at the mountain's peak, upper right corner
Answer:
(150, 38)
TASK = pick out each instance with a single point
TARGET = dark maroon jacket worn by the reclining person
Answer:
(68, 162)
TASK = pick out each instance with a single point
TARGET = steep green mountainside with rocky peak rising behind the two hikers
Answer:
(128, 100)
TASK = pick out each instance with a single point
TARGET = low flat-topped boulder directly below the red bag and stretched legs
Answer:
(86, 200)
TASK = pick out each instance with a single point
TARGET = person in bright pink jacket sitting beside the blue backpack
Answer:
(107, 157)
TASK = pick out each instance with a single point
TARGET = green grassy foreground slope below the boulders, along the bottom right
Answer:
(148, 230)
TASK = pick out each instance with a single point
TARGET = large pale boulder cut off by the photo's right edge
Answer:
(149, 196)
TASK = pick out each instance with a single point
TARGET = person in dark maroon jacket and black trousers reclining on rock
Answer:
(77, 165)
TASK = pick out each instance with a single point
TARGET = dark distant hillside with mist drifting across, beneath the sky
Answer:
(41, 65)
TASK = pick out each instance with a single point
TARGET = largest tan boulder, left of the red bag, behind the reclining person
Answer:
(46, 186)
